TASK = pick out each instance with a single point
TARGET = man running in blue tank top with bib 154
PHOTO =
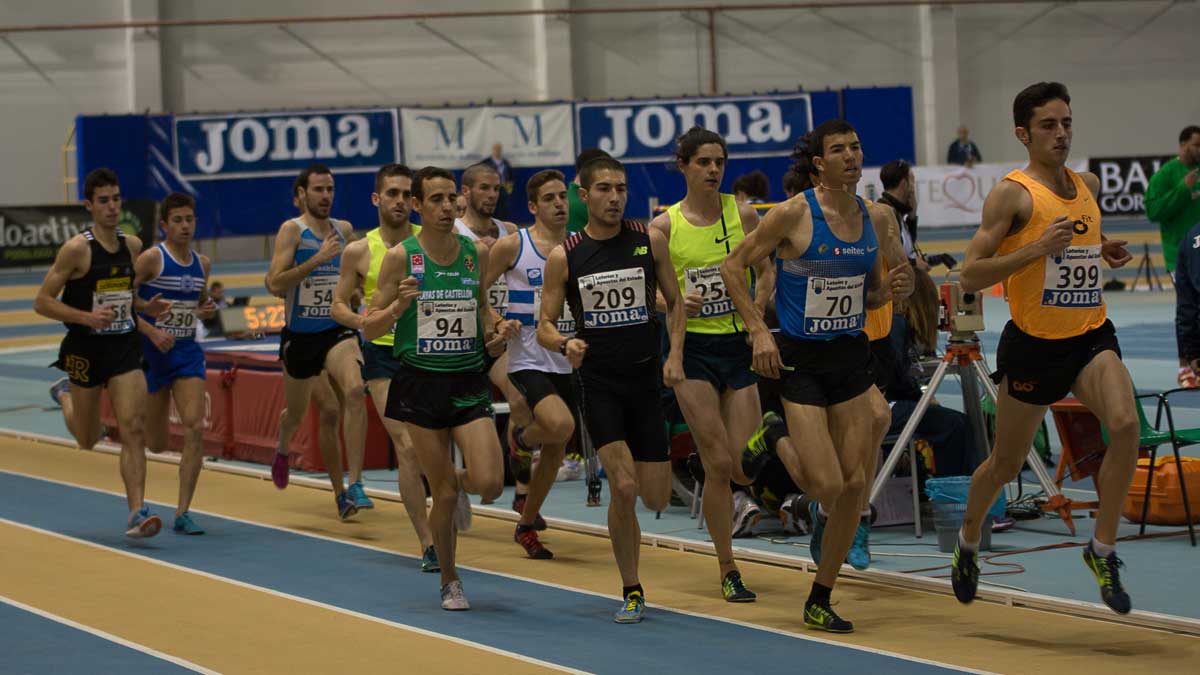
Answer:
(305, 270)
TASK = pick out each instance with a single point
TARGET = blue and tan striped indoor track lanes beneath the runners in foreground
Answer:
(280, 586)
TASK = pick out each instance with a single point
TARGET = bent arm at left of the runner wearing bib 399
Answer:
(1001, 211)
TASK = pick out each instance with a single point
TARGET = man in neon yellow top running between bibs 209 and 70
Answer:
(701, 231)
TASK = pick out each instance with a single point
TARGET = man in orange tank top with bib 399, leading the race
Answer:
(1041, 236)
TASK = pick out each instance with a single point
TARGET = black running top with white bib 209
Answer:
(611, 290)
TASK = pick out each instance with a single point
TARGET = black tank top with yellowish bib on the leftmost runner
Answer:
(110, 282)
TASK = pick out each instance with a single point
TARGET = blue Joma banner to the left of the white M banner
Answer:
(284, 144)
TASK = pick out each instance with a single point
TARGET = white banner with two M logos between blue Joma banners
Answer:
(460, 138)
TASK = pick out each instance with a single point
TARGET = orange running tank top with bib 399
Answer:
(1059, 296)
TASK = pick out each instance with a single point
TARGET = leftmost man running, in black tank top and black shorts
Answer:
(94, 273)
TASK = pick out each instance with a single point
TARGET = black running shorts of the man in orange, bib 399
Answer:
(1042, 372)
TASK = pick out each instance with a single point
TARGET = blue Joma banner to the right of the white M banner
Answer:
(645, 132)
